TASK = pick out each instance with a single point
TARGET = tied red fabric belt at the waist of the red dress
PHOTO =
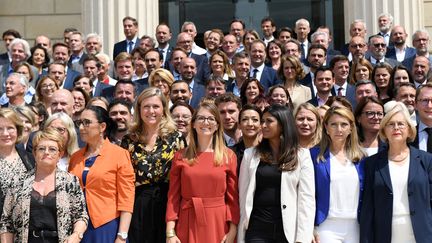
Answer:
(198, 204)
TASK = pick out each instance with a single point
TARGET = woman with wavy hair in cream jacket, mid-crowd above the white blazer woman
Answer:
(290, 72)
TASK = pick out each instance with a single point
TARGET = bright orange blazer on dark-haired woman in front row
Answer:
(110, 181)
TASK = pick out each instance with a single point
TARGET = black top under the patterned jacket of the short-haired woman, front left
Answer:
(43, 215)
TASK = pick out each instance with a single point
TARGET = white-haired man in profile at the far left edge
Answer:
(15, 89)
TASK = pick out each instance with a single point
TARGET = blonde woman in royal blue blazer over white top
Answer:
(338, 178)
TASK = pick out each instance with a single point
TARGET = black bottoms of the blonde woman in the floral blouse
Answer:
(148, 218)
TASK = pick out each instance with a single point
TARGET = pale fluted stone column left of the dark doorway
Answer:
(105, 18)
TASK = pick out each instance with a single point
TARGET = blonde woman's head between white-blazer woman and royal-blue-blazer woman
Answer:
(309, 126)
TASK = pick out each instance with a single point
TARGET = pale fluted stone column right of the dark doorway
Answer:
(408, 13)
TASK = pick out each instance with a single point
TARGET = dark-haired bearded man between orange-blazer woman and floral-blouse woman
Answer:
(120, 111)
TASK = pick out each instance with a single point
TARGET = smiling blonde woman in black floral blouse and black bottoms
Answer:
(152, 141)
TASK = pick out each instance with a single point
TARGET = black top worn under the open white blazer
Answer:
(267, 200)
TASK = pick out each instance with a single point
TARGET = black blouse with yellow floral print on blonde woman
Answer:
(153, 167)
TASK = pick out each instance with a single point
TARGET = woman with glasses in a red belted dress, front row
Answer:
(203, 199)
